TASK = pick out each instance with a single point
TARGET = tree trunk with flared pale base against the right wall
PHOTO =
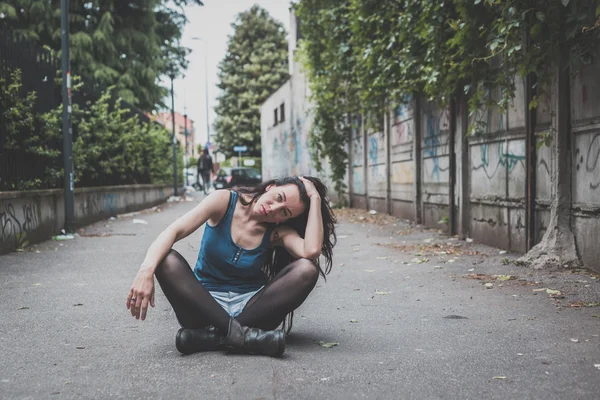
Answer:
(557, 248)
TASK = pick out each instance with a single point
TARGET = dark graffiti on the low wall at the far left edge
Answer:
(18, 226)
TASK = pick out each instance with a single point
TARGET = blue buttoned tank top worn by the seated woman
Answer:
(223, 265)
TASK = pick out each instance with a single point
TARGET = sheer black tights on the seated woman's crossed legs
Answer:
(196, 308)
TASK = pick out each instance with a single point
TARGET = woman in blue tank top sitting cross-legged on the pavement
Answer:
(258, 261)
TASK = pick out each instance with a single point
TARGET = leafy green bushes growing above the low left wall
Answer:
(111, 145)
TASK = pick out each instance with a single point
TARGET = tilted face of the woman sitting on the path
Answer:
(279, 203)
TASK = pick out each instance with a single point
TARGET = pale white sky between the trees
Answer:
(212, 23)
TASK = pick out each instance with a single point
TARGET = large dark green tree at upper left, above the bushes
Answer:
(126, 44)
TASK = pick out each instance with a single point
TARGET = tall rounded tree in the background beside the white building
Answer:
(253, 68)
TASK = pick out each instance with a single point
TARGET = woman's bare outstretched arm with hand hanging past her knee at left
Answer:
(142, 290)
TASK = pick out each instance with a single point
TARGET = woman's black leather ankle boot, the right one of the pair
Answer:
(255, 341)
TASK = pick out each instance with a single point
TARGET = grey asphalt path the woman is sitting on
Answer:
(411, 323)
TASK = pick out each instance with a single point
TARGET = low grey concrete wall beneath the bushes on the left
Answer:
(33, 216)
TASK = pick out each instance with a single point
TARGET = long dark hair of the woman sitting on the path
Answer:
(279, 257)
